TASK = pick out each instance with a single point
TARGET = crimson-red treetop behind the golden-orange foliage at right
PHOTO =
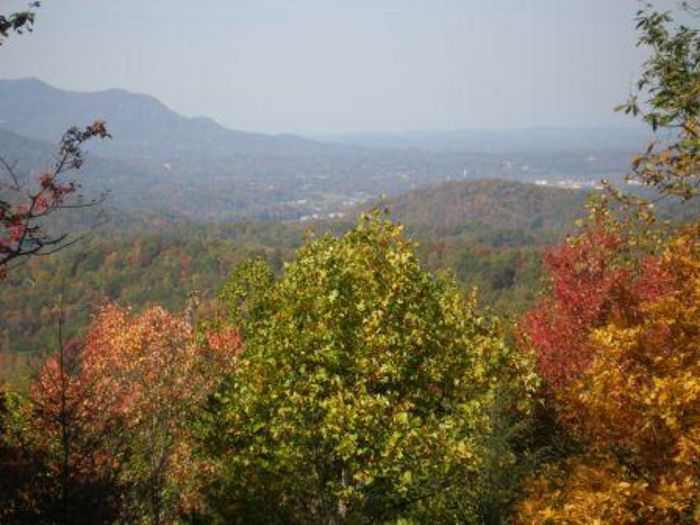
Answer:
(593, 282)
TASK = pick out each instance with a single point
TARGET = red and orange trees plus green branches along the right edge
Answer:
(616, 338)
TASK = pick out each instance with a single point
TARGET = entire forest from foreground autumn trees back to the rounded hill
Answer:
(477, 351)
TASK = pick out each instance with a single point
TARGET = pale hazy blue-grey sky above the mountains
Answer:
(318, 66)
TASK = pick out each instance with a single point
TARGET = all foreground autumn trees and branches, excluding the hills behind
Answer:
(353, 386)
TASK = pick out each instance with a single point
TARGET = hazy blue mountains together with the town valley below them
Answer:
(162, 162)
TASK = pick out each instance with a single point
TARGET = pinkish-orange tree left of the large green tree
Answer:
(120, 407)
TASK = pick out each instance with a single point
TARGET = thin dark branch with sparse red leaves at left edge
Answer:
(25, 208)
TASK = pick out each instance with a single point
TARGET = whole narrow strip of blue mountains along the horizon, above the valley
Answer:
(146, 127)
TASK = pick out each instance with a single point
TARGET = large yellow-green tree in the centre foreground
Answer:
(368, 390)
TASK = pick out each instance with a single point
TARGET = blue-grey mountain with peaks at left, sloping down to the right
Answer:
(143, 126)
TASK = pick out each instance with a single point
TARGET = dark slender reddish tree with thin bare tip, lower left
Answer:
(74, 423)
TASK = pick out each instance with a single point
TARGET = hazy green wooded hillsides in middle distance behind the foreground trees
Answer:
(128, 262)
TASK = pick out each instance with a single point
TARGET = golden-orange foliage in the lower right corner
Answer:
(639, 405)
